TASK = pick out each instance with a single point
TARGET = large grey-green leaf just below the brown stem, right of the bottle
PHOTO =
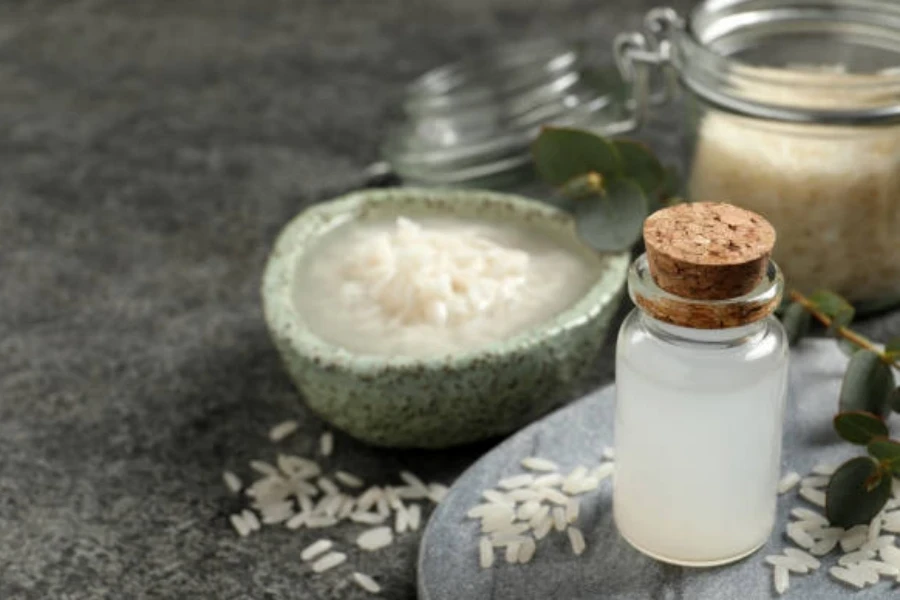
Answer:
(868, 384)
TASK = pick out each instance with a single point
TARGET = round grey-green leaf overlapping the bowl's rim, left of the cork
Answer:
(613, 221)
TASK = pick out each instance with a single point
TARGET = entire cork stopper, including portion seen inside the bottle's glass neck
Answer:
(707, 253)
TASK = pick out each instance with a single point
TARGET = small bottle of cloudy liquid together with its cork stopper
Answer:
(701, 373)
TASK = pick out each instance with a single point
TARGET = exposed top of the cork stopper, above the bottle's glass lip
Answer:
(708, 250)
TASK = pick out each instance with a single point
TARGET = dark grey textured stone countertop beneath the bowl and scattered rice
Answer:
(150, 153)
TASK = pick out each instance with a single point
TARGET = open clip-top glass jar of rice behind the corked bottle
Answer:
(792, 111)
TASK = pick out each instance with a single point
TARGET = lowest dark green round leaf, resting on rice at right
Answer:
(857, 492)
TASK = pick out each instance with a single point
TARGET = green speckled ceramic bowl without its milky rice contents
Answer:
(436, 402)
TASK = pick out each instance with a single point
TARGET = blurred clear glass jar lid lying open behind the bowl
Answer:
(471, 123)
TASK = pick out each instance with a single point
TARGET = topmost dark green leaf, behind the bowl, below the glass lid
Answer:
(561, 155)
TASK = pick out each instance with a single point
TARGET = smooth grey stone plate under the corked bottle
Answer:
(610, 568)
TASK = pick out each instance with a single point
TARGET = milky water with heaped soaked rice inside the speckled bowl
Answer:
(437, 285)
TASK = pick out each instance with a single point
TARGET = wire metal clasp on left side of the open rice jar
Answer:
(643, 58)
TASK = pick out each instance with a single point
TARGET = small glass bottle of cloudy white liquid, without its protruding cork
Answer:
(698, 423)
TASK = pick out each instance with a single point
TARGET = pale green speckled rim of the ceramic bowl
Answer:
(317, 220)
